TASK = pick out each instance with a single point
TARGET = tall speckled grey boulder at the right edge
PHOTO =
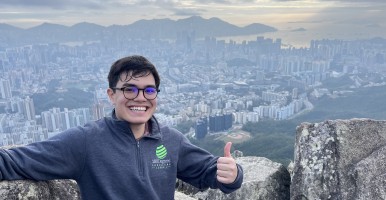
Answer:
(340, 159)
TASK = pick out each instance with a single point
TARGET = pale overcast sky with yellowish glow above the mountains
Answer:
(347, 15)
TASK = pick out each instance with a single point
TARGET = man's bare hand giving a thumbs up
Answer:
(226, 166)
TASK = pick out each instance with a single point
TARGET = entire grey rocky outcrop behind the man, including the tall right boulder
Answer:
(335, 159)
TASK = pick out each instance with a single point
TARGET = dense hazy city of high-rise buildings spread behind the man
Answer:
(215, 83)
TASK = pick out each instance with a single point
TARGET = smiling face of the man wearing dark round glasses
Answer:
(136, 111)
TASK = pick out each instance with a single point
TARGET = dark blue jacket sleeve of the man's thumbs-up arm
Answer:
(198, 167)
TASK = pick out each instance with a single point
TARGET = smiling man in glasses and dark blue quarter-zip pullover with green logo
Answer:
(128, 155)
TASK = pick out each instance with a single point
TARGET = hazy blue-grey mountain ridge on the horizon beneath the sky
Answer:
(165, 28)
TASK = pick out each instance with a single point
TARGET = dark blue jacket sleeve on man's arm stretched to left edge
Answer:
(60, 157)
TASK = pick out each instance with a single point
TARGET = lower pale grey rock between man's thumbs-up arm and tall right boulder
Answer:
(263, 179)
